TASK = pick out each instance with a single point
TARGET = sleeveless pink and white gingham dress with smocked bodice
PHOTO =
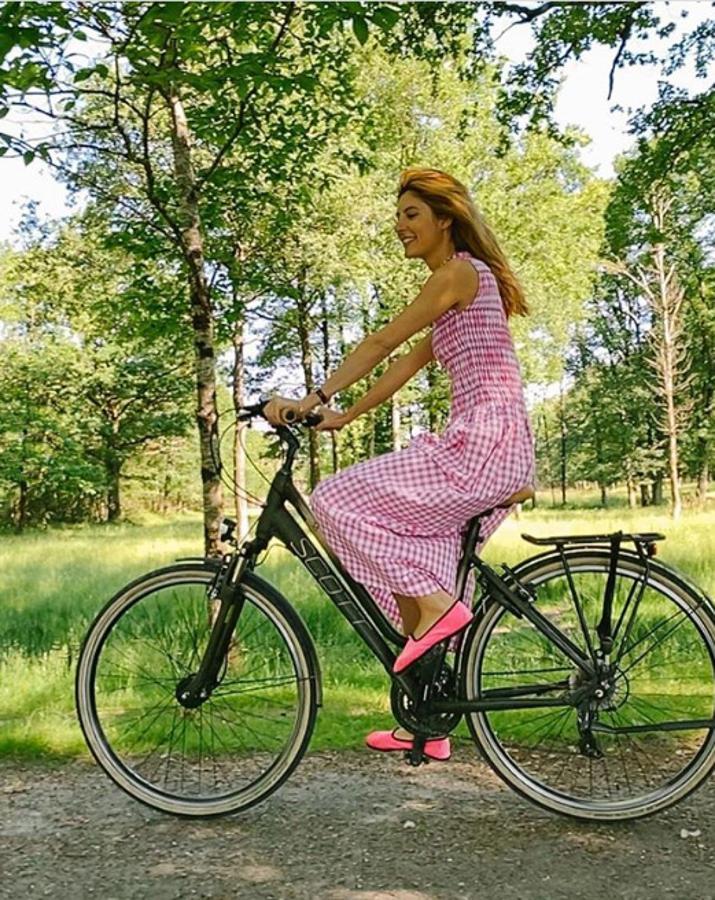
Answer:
(396, 521)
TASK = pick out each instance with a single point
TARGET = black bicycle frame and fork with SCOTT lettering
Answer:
(360, 609)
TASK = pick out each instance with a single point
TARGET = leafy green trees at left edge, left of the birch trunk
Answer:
(82, 390)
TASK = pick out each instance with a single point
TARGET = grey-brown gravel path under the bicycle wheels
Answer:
(346, 826)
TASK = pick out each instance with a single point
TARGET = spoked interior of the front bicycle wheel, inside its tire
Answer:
(233, 742)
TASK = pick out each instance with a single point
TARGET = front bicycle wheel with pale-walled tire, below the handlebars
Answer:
(234, 749)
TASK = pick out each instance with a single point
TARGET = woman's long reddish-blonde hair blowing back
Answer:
(448, 197)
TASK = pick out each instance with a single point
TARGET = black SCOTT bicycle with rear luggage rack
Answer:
(586, 678)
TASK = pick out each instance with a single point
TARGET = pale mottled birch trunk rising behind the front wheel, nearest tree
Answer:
(201, 317)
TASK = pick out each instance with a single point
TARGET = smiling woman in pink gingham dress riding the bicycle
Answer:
(396, 521)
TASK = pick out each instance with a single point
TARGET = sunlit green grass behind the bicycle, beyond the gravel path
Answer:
(55, 582)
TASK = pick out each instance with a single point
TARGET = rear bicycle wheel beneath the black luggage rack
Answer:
(663, 673)
